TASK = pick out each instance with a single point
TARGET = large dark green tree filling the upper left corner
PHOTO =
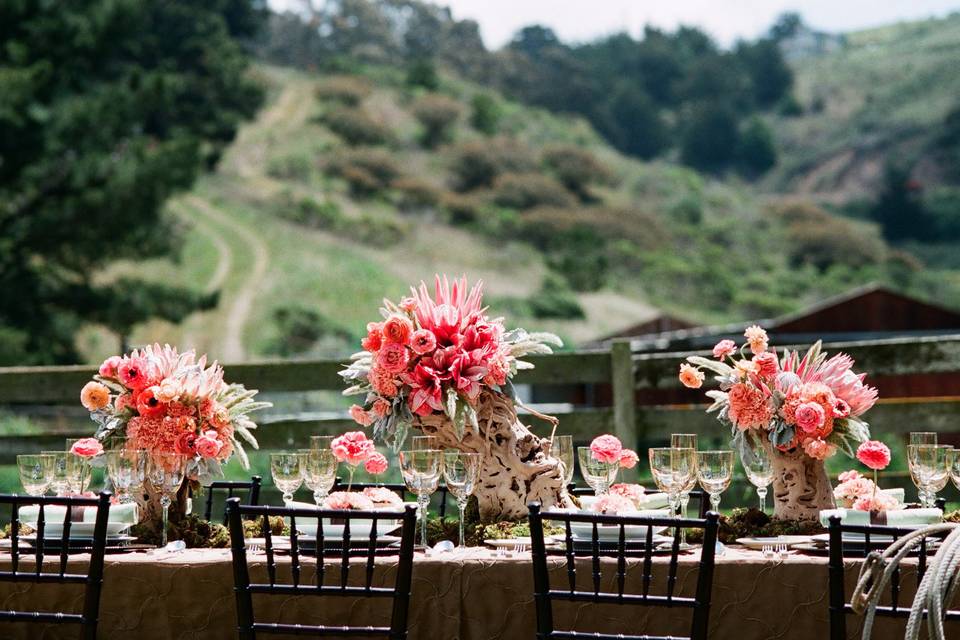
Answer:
(106, 110)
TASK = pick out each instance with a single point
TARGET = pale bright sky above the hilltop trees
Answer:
(725, 20)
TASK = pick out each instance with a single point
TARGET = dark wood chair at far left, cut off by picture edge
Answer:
(43, 548)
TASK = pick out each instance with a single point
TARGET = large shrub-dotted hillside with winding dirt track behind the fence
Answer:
(333, 197)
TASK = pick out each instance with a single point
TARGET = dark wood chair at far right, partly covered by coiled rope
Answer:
(876, 538)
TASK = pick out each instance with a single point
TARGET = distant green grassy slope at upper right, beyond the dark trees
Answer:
(883, 95)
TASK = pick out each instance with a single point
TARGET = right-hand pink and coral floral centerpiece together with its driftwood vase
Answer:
(801, 409)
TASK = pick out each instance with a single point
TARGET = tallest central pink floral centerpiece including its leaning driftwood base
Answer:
(440, 364)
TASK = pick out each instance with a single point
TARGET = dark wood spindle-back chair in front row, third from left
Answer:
(545, 594)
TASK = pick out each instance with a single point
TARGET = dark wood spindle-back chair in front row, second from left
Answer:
(339, 558)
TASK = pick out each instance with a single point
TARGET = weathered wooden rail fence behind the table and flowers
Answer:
(55, 391)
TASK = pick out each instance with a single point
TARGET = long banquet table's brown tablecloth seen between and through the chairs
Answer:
(468, 595)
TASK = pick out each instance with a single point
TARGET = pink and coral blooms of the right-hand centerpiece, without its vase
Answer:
(812, 403)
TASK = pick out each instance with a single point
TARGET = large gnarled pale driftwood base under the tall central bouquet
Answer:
(517, 466)
